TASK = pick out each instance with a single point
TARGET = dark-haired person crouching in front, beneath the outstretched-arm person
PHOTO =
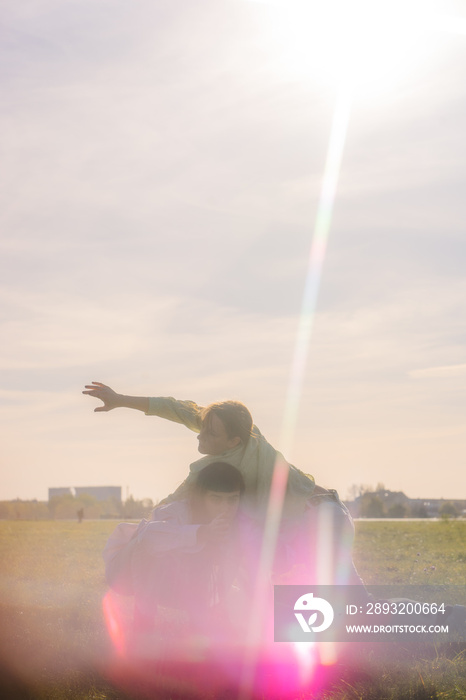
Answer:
(194, 554)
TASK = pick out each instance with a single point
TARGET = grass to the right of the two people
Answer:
(412, 553)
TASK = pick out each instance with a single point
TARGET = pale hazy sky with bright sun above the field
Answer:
(163, 164)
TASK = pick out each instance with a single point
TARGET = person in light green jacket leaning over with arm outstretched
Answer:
(316, 532)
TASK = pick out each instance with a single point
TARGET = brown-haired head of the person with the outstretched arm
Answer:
(225, 425)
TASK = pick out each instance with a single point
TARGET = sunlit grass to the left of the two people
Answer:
(51, 588)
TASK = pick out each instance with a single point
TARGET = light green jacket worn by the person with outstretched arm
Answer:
(255, 460)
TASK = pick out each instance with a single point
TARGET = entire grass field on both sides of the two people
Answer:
(54, 644)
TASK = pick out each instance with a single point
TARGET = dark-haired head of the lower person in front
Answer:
(217, 491)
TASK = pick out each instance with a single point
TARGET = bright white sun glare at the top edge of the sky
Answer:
(359, 44)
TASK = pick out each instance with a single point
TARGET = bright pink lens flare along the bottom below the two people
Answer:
(176, 658)
